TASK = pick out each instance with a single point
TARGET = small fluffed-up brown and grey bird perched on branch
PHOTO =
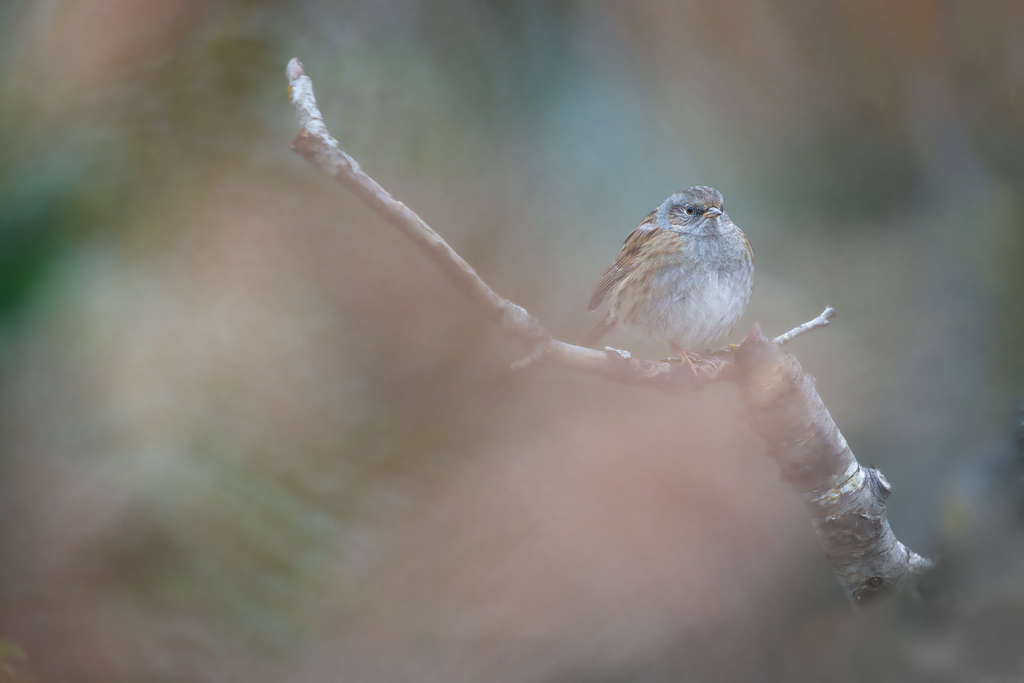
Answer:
(685, 276)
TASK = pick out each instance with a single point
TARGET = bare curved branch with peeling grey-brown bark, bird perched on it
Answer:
(846, 501)
